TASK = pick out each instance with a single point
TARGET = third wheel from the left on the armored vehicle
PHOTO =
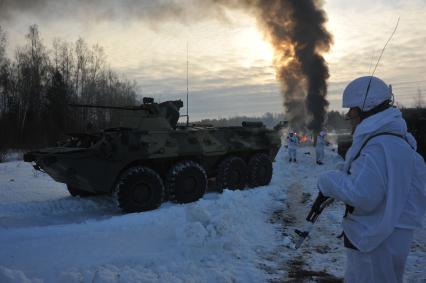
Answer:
(232, 174)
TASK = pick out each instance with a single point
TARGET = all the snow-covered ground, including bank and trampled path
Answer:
(237, 236)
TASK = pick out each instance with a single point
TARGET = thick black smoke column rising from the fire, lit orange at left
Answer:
(296, 29)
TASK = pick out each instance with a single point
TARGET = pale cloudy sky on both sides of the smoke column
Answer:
(230, 63)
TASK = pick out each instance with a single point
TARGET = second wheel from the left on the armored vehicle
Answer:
(186, 182)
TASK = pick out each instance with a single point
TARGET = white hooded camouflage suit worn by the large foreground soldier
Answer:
(387, 188)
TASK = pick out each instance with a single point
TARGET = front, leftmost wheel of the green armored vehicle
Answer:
(139, 189)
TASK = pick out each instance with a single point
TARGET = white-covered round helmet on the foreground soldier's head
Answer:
(354, 94)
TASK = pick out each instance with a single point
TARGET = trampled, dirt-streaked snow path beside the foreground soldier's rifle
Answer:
(287, 264)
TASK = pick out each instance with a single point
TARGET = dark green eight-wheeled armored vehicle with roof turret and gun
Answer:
(151, 158)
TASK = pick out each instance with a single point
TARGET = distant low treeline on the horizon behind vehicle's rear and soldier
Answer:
(335, 121)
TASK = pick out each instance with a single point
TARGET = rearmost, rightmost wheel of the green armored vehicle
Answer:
(260, 170)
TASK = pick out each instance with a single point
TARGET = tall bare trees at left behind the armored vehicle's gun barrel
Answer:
(37, 85)
